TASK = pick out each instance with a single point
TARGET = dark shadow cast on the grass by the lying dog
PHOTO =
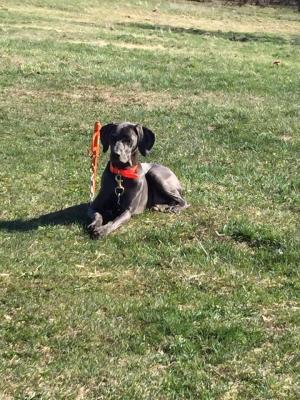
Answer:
(76, 214)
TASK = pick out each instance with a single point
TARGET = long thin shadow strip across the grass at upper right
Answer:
(233, 36)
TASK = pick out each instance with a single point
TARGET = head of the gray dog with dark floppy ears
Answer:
(125, 140)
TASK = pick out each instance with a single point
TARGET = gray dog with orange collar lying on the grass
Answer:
(127, 186)
